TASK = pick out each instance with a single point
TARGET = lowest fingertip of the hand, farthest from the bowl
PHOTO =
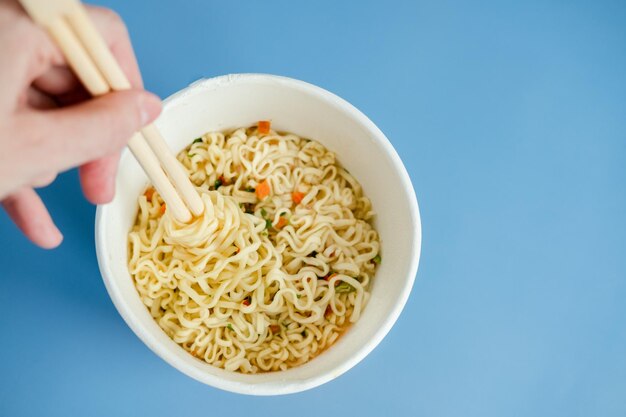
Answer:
(30, 214)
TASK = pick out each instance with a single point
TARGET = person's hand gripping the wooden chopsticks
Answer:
(48, 122)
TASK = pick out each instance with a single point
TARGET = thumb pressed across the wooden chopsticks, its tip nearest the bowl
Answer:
(74, 135)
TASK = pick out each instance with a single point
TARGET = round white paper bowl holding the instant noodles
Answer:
(304, 109)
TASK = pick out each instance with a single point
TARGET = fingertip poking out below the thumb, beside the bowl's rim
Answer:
(98, 179)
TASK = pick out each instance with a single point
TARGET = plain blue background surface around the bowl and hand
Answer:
(510, 119)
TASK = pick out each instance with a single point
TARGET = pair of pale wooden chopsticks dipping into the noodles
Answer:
(69, 25)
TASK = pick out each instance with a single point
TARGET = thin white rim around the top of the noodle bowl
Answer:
(279, 387)
